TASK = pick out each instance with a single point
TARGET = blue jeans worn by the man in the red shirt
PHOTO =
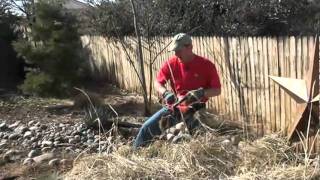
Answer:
(151, 127)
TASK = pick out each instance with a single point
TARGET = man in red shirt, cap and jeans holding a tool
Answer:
(192, 79)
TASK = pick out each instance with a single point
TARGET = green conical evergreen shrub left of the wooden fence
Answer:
(53, 48)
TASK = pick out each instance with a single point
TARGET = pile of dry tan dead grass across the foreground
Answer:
(205, 157)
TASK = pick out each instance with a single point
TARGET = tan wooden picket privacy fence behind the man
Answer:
(244, 63)
